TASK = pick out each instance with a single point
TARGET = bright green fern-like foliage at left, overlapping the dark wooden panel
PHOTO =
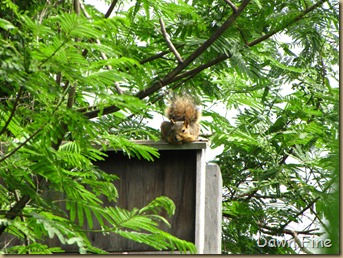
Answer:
(51, 189)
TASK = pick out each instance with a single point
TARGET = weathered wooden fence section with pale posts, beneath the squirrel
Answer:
(180, 174)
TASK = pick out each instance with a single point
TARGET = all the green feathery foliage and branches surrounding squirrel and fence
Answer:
(70, 73)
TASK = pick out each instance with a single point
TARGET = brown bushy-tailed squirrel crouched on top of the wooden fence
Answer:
(184, 119)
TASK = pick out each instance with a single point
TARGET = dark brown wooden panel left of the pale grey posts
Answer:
(172, 175)
